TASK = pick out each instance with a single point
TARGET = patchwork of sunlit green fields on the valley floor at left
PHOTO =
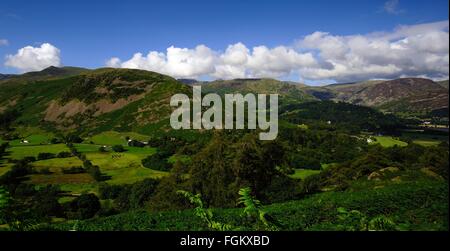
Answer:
(121, 168)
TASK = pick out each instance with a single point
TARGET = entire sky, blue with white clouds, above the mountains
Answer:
(314, 42)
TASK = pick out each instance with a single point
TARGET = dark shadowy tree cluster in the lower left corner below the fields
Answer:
(32, 204)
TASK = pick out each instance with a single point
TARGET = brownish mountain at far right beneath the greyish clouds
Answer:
(404, 95)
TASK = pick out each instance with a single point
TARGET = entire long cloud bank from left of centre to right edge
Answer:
(417, 50)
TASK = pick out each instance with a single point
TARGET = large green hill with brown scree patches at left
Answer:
(98, 100)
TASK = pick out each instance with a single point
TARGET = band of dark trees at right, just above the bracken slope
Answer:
(410, 158)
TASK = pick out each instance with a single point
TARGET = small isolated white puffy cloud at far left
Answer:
(31, 58)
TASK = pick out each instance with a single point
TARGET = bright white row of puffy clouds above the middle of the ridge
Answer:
(237, 61)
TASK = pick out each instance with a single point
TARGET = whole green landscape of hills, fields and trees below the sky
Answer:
(91, 151)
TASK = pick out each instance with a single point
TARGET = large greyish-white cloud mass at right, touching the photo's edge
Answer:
(418, 50)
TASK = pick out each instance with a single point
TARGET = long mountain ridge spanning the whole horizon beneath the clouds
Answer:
(138, 100)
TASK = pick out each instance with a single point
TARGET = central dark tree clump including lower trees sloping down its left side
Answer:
(227, 163)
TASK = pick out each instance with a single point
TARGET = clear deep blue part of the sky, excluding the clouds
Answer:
(88, 33)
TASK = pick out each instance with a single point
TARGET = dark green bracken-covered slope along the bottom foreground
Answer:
(403, 202)
